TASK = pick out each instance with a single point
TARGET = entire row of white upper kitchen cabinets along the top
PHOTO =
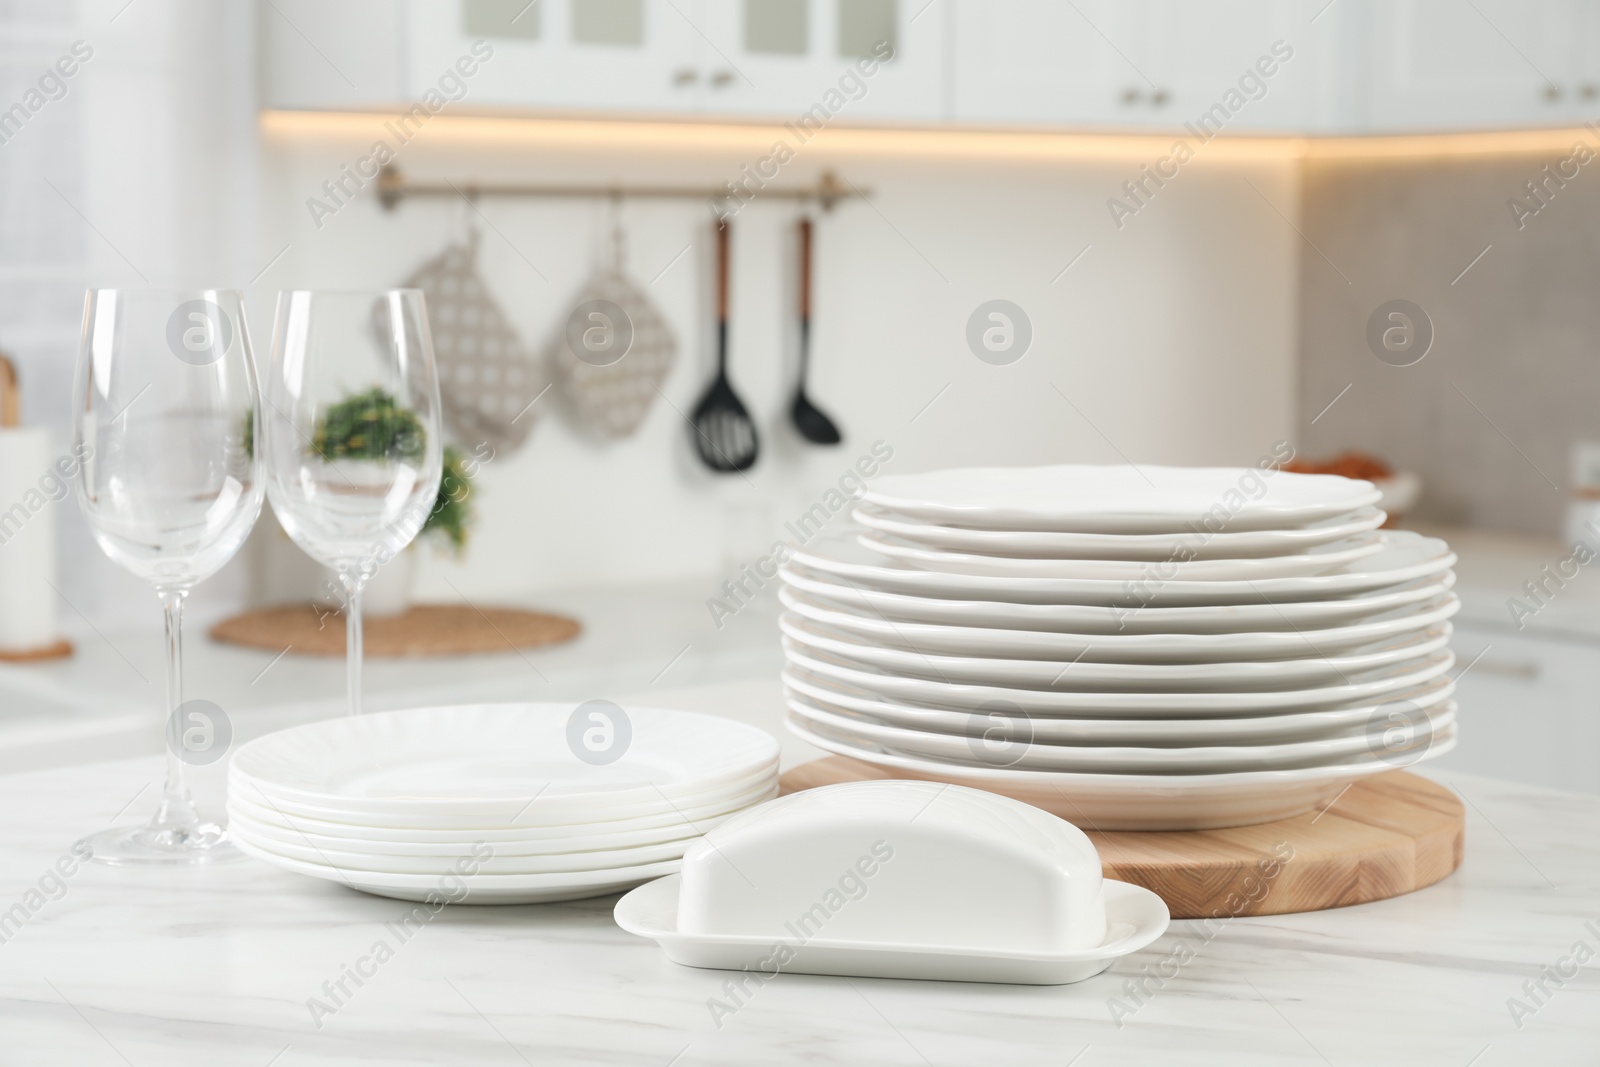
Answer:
(1358, 66)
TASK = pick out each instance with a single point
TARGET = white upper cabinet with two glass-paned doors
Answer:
(762, 58)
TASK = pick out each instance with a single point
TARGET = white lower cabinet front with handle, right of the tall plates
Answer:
(1530, 709)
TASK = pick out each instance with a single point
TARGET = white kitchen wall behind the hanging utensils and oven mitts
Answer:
(1174, 335)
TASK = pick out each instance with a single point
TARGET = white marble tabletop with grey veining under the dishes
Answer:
(1500, 964)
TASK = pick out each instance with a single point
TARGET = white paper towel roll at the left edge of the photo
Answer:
(31, 490)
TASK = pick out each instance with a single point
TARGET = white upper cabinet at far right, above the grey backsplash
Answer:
(1449, 65)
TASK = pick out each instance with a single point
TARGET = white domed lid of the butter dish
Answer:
(898, 863)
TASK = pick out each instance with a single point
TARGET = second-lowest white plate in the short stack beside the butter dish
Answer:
(490, 860)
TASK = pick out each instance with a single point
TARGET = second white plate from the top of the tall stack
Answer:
(1092, 546)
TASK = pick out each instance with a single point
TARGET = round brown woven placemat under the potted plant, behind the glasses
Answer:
(422, 631)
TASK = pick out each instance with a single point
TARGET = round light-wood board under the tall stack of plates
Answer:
(1383, 837)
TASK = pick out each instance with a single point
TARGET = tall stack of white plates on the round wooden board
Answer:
(1145, 647)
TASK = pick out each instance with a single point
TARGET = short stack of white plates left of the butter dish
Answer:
(495, 804)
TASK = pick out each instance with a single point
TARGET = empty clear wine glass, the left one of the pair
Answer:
(166, 422)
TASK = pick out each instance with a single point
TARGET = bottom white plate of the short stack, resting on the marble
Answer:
(479, 889)
